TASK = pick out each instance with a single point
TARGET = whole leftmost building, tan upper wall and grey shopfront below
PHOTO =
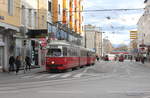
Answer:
(9, 26)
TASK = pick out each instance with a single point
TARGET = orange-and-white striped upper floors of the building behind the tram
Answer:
(70, 12)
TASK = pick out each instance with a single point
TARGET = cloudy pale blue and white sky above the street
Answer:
(120, 23)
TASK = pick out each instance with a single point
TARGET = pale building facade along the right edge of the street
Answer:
(144, 31)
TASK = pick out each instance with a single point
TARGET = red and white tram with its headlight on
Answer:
(62, 56)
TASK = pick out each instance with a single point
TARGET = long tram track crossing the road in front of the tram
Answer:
(38, 84)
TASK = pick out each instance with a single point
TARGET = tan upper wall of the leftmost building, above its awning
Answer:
(10, 12)
